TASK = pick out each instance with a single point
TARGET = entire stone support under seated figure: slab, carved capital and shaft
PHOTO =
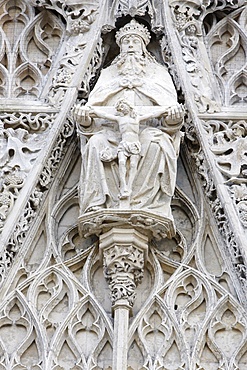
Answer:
(124, 236)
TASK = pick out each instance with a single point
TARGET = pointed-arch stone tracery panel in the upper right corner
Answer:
(227, 46)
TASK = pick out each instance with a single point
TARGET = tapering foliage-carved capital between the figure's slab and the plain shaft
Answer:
(124, 252)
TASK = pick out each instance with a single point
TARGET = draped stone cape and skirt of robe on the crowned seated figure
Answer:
(155, 178)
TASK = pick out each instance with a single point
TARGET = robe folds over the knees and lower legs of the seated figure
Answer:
(155, 178)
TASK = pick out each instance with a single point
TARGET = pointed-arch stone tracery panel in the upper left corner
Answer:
(28, 44)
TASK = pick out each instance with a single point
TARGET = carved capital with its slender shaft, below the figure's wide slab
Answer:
(124, 252)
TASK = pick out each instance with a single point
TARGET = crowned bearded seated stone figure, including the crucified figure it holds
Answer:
(108, 159)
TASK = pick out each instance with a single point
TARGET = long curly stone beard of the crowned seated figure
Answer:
(131, 64)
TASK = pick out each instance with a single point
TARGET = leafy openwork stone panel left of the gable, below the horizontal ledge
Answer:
(22, 136)
